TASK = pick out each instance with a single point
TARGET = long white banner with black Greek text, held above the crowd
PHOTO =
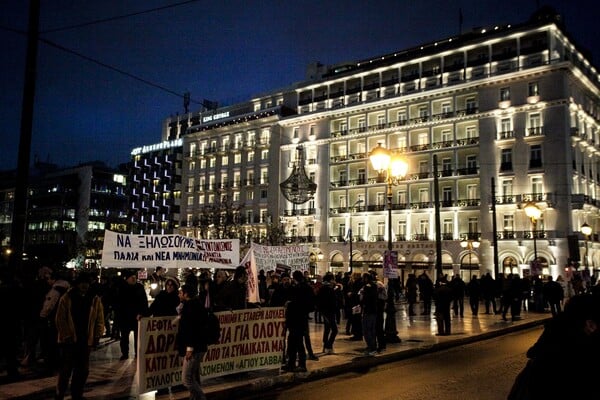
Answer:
(123, 250)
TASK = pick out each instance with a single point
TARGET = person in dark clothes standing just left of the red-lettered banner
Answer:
(132, 305)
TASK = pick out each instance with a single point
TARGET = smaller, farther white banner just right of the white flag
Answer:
(267, 257)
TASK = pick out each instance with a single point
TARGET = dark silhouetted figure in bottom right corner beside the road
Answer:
(570, 343)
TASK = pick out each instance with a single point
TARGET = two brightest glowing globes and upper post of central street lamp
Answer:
(395, 168)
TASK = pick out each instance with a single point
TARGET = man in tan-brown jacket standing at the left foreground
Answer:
(80, 325)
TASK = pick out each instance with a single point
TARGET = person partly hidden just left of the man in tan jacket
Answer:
(48, 336)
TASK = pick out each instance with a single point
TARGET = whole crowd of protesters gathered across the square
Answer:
(63, 314)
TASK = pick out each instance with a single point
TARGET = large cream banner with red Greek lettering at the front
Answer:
(251, 339)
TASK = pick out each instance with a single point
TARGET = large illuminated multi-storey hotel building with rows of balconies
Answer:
(511, 113)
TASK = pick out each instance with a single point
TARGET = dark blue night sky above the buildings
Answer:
(225, 51)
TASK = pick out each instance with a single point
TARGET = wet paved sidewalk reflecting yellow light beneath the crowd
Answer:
(113, 379)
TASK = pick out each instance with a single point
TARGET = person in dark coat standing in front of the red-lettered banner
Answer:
(191, 342)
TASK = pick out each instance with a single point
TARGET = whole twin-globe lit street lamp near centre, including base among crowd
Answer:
(395, 168)
